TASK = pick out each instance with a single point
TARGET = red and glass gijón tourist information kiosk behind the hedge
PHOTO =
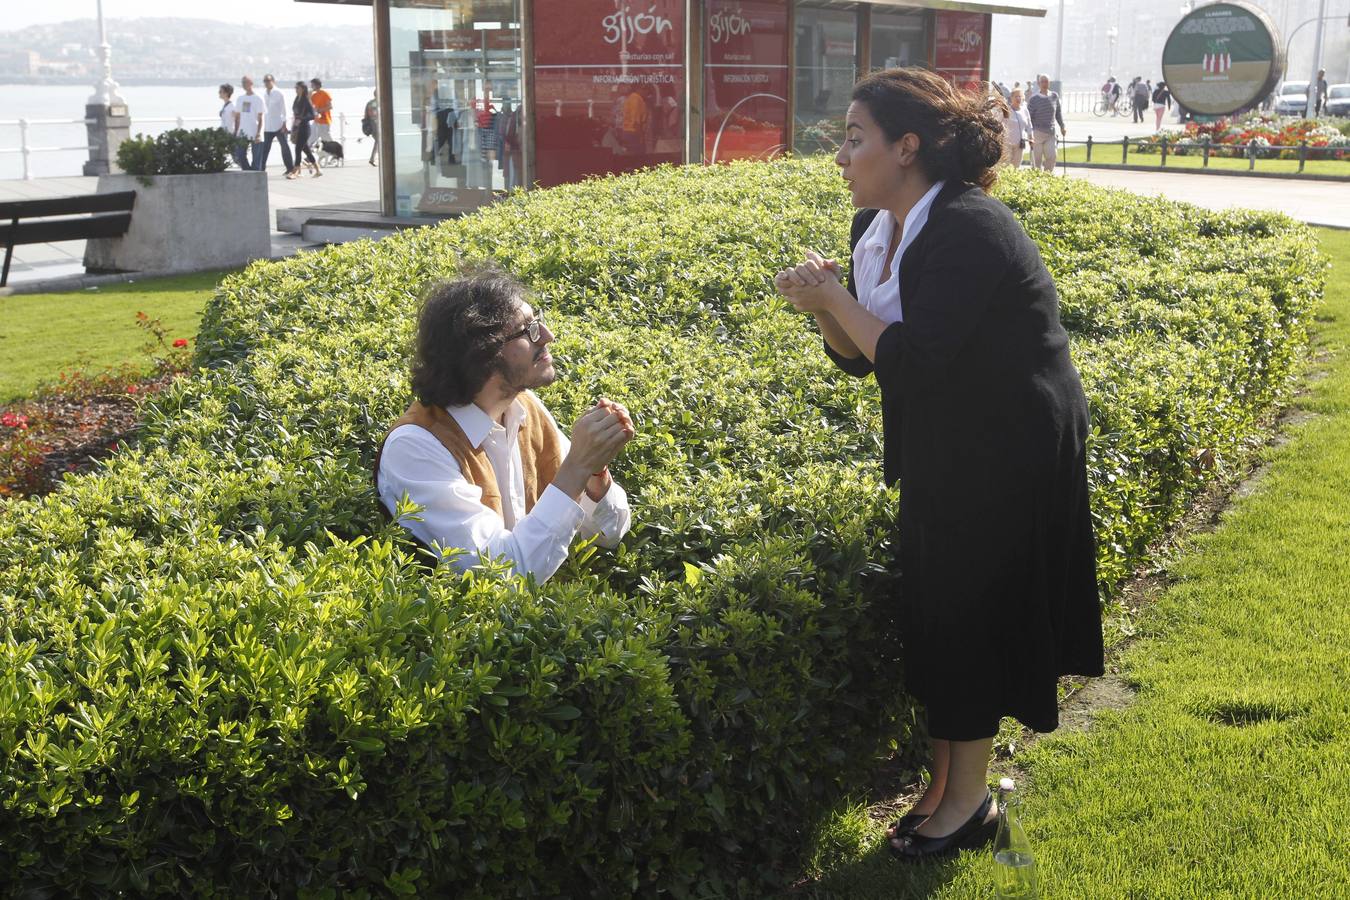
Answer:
(481, 96)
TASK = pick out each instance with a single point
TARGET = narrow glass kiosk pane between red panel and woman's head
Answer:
(827, 68)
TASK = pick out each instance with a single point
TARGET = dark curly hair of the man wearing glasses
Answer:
(460, 334)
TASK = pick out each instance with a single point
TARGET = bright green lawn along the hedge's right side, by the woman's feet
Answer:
(1225, 778)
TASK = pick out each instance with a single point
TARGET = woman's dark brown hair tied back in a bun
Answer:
(961, 132)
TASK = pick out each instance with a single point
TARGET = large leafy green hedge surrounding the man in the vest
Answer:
(223, 675)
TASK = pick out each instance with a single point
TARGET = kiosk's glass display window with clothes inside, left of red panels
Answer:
(457, 83)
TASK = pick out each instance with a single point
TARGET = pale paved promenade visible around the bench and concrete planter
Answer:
(356, 183)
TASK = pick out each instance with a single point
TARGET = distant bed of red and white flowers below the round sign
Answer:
(1271, 136)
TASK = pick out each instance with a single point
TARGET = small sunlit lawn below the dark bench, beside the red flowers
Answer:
(44, 335)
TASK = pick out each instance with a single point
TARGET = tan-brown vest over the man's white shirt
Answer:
(541, 450)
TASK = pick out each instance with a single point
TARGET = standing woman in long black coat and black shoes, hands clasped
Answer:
(985, 422)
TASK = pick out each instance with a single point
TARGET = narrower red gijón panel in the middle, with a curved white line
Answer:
(745, 80)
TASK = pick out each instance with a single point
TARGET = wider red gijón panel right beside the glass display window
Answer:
(610, 87)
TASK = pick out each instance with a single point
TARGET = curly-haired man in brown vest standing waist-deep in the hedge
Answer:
(477, 451)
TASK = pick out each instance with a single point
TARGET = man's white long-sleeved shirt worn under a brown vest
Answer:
(453, 515)
